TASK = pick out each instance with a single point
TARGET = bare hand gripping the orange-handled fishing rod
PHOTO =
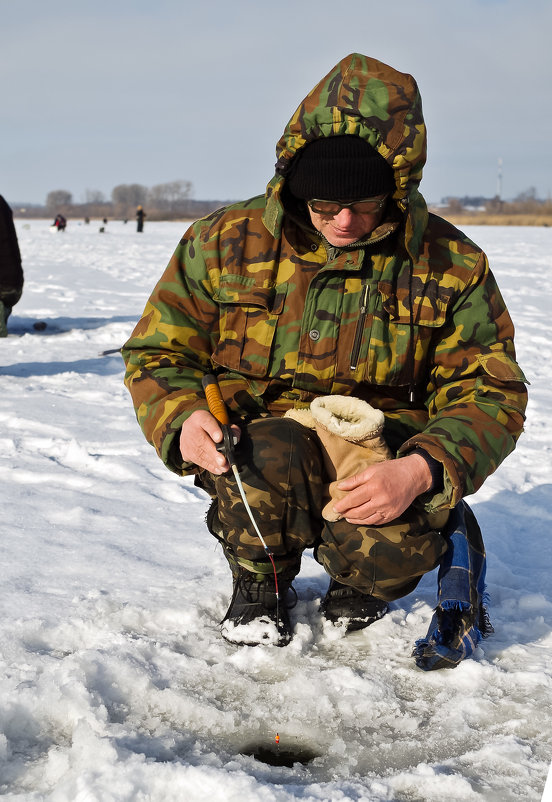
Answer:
(198, 438)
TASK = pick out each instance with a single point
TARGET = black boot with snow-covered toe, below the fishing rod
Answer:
(256, 615)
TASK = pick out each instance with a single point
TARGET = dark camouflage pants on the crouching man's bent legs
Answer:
(281, 467)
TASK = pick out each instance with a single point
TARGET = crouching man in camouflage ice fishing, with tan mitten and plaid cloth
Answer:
(365, 357)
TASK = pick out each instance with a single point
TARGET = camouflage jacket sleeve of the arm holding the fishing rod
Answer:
(169, 351)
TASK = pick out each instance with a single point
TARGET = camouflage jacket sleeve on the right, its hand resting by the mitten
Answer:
(476, 396)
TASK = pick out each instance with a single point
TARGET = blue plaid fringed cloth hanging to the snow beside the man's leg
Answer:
(460, 620)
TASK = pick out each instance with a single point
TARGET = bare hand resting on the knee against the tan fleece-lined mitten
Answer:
(383, 491)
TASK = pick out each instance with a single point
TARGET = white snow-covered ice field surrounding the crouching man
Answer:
(115, 685)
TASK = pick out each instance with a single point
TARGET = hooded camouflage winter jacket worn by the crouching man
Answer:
(411, 320)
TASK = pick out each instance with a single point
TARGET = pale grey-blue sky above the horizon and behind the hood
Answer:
(101, 93)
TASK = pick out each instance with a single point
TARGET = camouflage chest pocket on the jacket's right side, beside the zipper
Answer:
(396, 335)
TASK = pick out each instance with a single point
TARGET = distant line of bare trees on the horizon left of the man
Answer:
(170, 201)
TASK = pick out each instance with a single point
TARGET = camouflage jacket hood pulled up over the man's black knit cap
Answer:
(362, 97)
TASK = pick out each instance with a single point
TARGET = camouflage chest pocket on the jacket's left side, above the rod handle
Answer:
(248, 320)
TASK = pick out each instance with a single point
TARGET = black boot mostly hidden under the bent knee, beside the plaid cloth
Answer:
(348, 607)
